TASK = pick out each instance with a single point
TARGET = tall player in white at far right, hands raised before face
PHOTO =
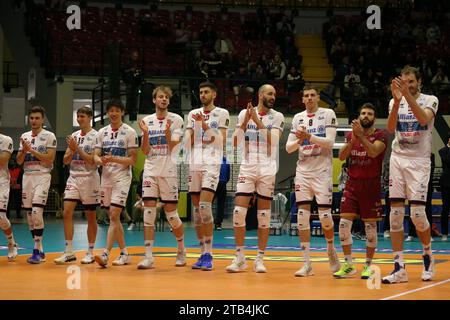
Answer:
(411, 117)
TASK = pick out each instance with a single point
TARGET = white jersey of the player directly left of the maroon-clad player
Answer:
(312, 157)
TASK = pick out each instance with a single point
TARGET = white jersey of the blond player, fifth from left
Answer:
(159, 162)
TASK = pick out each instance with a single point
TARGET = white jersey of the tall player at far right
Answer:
(412, 139)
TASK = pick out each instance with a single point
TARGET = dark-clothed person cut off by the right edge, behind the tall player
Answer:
(444, 183)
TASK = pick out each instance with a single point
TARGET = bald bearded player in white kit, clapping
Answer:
(258, 131)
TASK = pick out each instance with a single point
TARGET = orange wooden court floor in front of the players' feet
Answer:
(19, 280)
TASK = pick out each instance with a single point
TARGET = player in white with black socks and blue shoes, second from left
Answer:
(37, 153)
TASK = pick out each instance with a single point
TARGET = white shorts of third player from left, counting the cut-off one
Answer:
(85, 189)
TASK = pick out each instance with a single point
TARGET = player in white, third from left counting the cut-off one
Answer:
(82, 185)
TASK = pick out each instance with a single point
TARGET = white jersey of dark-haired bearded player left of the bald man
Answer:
(216, 119)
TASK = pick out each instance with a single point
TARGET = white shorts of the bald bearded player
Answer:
(249, 181)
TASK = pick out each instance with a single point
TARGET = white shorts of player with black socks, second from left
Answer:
(35, 190)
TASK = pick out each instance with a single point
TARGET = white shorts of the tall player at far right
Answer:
(408, 178)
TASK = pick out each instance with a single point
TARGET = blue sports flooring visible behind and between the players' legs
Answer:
(54, 239)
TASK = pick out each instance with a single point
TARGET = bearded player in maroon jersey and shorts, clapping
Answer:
(365, 146)
